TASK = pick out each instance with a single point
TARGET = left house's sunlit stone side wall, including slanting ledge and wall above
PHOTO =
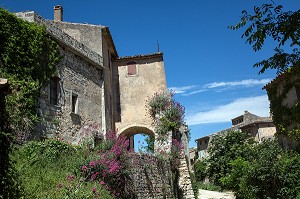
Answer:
(81, 74)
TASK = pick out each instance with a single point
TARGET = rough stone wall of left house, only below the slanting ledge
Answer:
(80, 78)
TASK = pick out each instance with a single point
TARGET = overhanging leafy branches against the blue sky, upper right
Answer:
(270, 21)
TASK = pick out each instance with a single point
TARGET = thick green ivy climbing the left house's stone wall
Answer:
(28, 58)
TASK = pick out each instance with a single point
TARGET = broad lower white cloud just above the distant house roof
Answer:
(258, 105)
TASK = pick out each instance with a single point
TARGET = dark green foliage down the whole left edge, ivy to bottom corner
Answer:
(28, 58)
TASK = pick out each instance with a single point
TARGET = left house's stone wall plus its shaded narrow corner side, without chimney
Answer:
(90, 65)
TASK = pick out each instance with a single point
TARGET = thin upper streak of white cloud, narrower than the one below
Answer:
(247, 82)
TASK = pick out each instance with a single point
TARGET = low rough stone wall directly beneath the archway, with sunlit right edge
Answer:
(153, 178)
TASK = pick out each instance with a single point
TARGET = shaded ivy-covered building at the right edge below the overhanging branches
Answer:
(284, 97)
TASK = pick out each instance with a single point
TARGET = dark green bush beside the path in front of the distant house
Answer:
(225, 148)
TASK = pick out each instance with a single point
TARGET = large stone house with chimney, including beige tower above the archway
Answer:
(95, 90)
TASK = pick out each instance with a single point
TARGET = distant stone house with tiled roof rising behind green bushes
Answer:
(258, 127)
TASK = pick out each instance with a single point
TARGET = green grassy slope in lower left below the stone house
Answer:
(44, 170)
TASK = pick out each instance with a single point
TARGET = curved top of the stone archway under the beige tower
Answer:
(135, 128)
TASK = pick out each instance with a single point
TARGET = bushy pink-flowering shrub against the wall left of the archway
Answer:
(108, 167)
